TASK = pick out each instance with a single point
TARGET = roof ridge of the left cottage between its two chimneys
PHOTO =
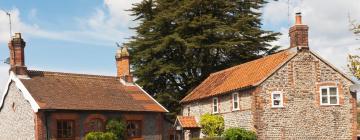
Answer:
(53, 73)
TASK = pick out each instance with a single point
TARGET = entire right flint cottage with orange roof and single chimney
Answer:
(292, 94)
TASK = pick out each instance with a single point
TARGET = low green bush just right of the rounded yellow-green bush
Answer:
(239, 134)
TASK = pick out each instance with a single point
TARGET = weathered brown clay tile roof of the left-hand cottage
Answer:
(54, 90)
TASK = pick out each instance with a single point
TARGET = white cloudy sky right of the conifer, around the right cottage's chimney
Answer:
(329, 34)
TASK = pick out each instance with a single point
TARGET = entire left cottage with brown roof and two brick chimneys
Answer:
(46, 105)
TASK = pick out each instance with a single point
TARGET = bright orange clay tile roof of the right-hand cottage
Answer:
(241, 76)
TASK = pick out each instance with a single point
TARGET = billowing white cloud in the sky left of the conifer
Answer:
(104, 26)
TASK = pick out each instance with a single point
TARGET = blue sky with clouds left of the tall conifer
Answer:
(72, 44)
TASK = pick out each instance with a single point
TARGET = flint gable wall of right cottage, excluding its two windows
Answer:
(302, 116)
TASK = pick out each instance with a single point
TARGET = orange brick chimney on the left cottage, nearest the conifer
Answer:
(123, 64)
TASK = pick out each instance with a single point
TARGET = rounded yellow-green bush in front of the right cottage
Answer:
(212, 125)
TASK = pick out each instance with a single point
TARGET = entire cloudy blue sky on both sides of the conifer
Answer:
(79, 35)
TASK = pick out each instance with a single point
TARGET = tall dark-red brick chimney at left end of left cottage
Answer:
(17, 56)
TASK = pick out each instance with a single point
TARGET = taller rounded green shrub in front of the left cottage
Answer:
(116, 127)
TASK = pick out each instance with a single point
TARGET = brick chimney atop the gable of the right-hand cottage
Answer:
(299, 34)
